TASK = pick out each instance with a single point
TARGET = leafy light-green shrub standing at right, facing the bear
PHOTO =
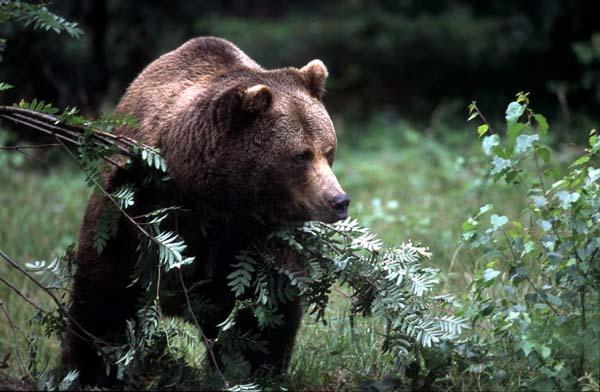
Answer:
(536, 292)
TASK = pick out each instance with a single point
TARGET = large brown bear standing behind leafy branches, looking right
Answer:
(255, 144)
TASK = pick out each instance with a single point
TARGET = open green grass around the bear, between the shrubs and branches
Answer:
(404, 185)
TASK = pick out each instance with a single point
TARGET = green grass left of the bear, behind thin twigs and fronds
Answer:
(41, 207)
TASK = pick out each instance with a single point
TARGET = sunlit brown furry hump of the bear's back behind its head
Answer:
(166, 86)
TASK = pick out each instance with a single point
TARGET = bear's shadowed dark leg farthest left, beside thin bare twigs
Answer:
(102, 299)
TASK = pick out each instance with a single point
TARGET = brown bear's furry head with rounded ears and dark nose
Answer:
(261, 142)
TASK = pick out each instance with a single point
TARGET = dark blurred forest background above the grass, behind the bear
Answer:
(422, 60)
